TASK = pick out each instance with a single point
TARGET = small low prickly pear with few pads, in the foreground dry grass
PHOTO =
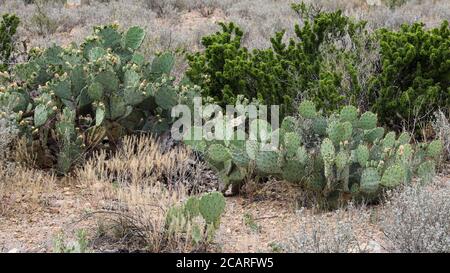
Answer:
(208, 208)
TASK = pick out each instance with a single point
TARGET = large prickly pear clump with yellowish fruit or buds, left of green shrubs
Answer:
(69, 100)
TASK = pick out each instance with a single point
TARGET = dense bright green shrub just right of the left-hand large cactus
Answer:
(225, 70)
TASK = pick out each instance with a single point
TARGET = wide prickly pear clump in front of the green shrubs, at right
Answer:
(340, 157)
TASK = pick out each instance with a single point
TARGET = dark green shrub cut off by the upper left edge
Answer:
(8, 28)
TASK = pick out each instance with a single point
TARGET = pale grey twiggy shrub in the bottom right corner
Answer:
(417, 219)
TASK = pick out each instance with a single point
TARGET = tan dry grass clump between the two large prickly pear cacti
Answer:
(141, 160)
